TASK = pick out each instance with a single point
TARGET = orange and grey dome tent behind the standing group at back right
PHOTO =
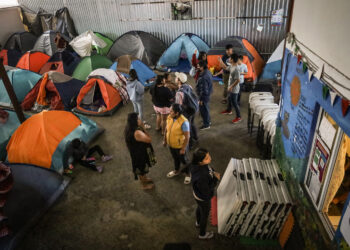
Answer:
(241, 46)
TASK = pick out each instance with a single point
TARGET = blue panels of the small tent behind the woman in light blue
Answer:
(144, 73)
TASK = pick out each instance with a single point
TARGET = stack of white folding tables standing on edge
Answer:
(253, 199)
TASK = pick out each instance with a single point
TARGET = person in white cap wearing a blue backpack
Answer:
(189, 103)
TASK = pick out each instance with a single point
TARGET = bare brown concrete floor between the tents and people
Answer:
(110, 211)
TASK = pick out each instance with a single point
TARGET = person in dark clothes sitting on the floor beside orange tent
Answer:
(78, 151)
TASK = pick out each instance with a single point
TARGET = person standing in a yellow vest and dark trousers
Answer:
(177, 136)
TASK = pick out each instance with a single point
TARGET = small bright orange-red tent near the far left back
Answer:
(32, 61)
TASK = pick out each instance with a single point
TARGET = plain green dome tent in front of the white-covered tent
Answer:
(89, 64)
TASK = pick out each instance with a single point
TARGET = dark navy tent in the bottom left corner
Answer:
(34, 190)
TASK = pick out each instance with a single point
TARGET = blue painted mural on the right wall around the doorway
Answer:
(300, 104)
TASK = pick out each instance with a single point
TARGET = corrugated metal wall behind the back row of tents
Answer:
(221, 18)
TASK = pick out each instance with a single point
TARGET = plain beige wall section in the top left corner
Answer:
(10, 22)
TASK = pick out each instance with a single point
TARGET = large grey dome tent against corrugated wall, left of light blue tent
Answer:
(139, 44)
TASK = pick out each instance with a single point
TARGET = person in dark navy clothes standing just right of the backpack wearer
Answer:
(204, 90)
